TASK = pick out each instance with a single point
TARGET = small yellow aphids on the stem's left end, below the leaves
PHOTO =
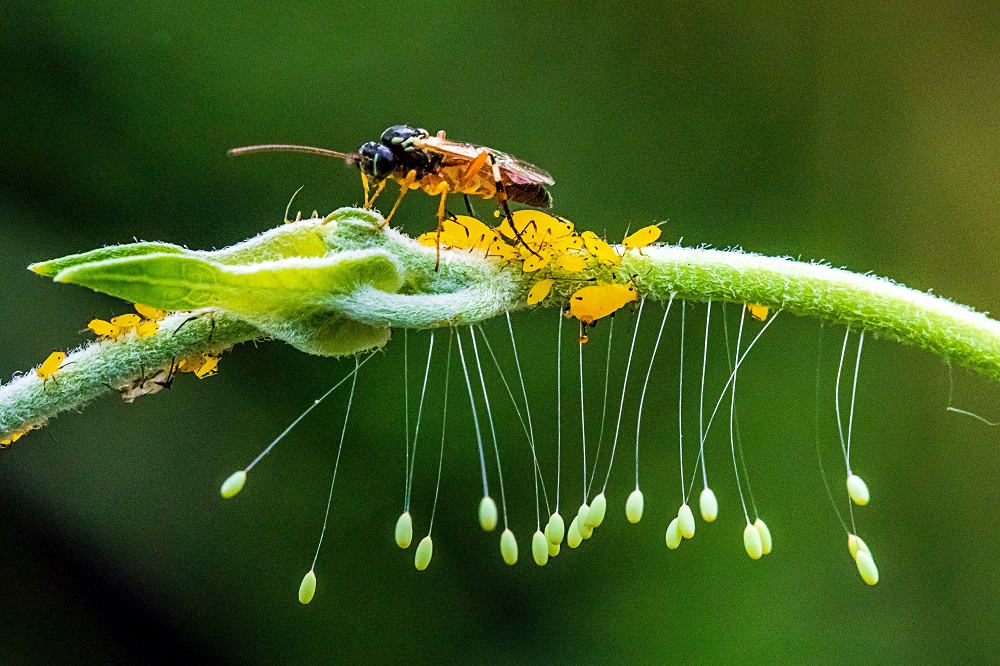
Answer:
(142, 325)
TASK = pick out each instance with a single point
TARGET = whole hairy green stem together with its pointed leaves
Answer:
(468, 288)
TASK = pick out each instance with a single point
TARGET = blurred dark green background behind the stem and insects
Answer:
(867, 137)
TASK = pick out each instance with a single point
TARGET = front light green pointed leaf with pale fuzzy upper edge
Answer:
(189, 282)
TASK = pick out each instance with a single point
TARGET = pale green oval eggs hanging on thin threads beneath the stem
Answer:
(553, 530)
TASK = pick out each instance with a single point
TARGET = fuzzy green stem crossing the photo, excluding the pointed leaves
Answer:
(469, 288)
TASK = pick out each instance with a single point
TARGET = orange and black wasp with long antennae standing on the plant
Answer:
(439, 166)
